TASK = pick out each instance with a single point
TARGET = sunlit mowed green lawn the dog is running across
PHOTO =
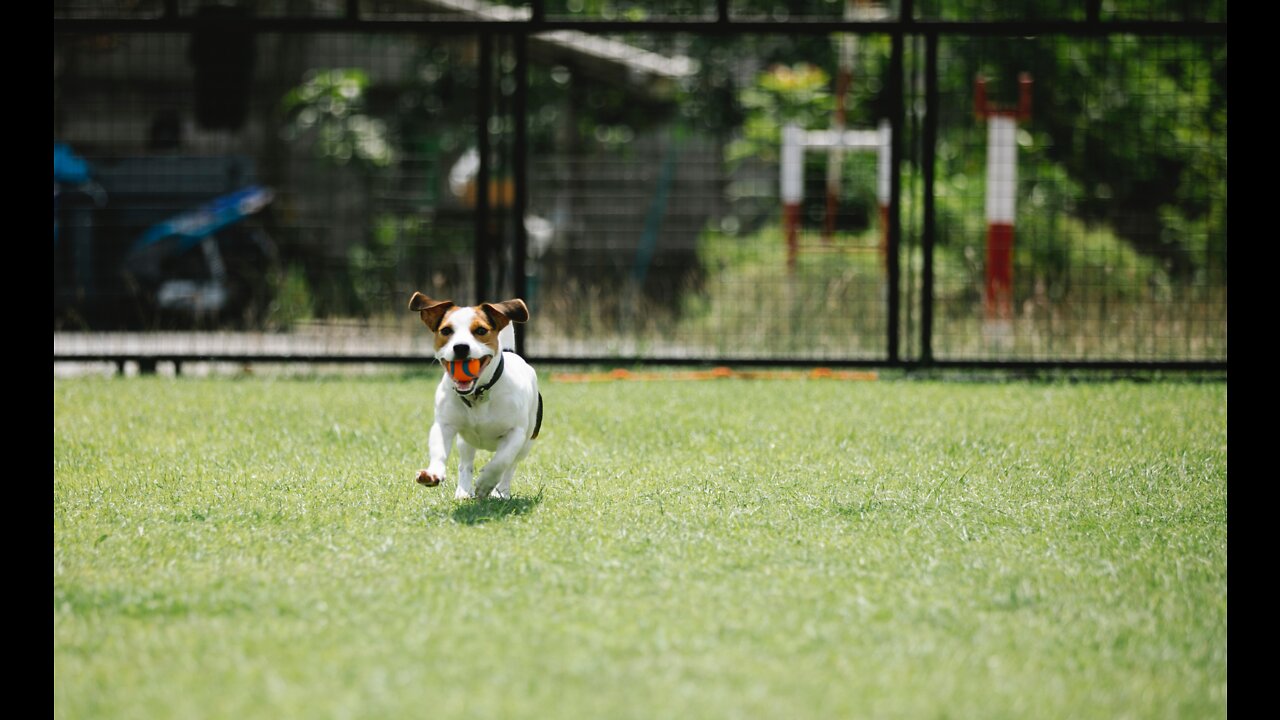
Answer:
(734, 549)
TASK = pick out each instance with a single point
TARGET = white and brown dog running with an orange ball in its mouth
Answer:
(500, 409)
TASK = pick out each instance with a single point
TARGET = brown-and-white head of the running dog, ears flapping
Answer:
(468, 334)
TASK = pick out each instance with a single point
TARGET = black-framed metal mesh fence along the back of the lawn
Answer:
(638, 181)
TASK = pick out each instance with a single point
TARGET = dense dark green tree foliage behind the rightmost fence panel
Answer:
(1140, 126)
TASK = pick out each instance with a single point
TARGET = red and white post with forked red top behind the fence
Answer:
(1002, 194)
